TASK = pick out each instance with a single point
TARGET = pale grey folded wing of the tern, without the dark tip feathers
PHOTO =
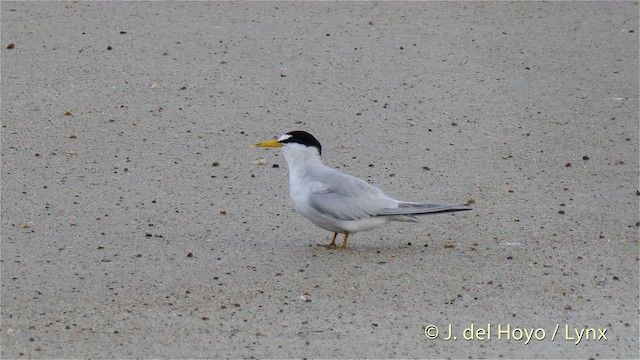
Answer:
(345, 197)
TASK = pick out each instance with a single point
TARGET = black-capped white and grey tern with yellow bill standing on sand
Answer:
(338, 202)
